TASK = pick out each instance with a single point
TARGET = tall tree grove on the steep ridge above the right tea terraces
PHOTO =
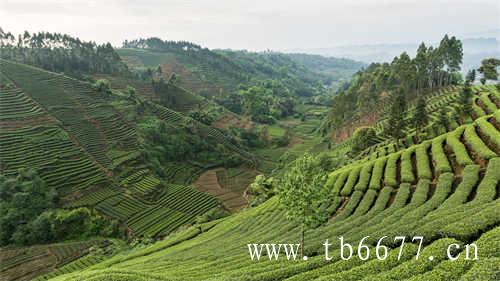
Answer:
(431, 68)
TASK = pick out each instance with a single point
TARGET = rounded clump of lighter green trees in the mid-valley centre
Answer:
(263, 101)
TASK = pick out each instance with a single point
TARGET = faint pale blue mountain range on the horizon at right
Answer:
(475, 49)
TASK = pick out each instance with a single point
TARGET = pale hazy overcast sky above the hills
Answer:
(255, 24)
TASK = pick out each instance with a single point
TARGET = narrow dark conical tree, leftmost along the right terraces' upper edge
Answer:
(396, 125)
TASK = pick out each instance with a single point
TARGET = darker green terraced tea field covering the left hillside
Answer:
(84, 148)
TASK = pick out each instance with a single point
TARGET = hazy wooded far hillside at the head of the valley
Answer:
(212, 73)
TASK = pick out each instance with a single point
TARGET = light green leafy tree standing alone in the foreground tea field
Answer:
(301, 192)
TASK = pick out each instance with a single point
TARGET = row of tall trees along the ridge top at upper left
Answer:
(60, 53)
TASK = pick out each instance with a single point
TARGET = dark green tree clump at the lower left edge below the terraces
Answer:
(27, 214)
